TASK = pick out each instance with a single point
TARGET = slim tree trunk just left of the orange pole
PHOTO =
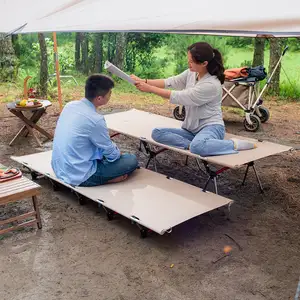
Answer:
(43, 65)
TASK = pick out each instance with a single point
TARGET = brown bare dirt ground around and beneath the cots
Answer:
(79, 254)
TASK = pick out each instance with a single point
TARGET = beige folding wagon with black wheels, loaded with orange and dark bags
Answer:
(240, 90)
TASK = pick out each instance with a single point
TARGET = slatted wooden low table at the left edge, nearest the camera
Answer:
(16, 190)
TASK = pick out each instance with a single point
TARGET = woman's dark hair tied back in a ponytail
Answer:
(202, 52)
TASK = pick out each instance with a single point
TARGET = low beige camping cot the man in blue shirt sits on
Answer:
(150, 200)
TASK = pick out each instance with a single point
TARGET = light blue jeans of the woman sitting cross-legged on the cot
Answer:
(209, 141)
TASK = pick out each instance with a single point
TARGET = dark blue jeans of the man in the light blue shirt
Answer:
(107, 171)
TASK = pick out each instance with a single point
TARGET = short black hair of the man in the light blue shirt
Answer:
(97, 85)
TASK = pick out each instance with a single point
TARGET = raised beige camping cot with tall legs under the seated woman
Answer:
(139, 124)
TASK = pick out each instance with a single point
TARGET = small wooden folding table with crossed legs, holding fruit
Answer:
(30, 123)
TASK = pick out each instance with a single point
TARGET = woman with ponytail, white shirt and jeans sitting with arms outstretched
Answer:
(199, 89)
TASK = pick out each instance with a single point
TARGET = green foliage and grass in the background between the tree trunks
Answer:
(148, 55)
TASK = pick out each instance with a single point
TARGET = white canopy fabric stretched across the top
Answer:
(231, 17)
